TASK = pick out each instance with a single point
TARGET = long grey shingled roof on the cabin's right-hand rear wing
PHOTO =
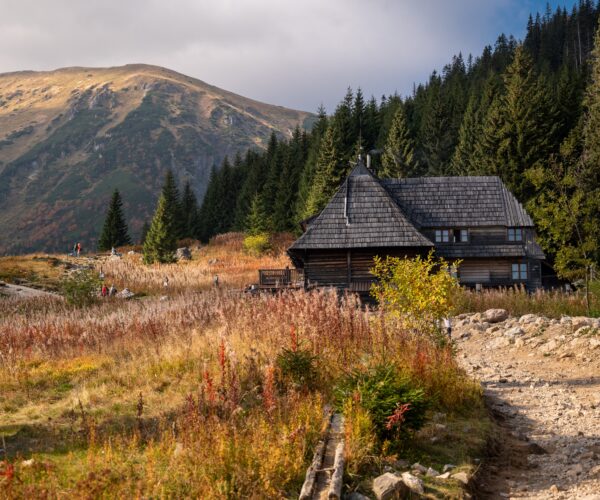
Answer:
(457, 201)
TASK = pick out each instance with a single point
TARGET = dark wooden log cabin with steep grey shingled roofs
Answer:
(472, 219)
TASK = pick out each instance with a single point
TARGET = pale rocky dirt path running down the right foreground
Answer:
(542, 381)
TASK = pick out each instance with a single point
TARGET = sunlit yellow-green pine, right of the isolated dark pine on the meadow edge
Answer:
(160, 243)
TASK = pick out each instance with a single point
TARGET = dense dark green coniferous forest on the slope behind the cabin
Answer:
(525, 111)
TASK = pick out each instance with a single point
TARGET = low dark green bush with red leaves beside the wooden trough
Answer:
(394, 404)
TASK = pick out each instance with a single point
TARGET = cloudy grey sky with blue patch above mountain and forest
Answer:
(297, 54)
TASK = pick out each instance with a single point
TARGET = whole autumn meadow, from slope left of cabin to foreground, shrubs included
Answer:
(197, 391)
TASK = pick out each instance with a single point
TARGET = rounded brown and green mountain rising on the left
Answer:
(68, 137)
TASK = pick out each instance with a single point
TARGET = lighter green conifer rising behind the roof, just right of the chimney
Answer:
(398, 159)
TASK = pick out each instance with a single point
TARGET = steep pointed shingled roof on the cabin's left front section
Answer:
(361, 214)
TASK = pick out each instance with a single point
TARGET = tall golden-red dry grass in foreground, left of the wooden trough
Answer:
(181, 397)
